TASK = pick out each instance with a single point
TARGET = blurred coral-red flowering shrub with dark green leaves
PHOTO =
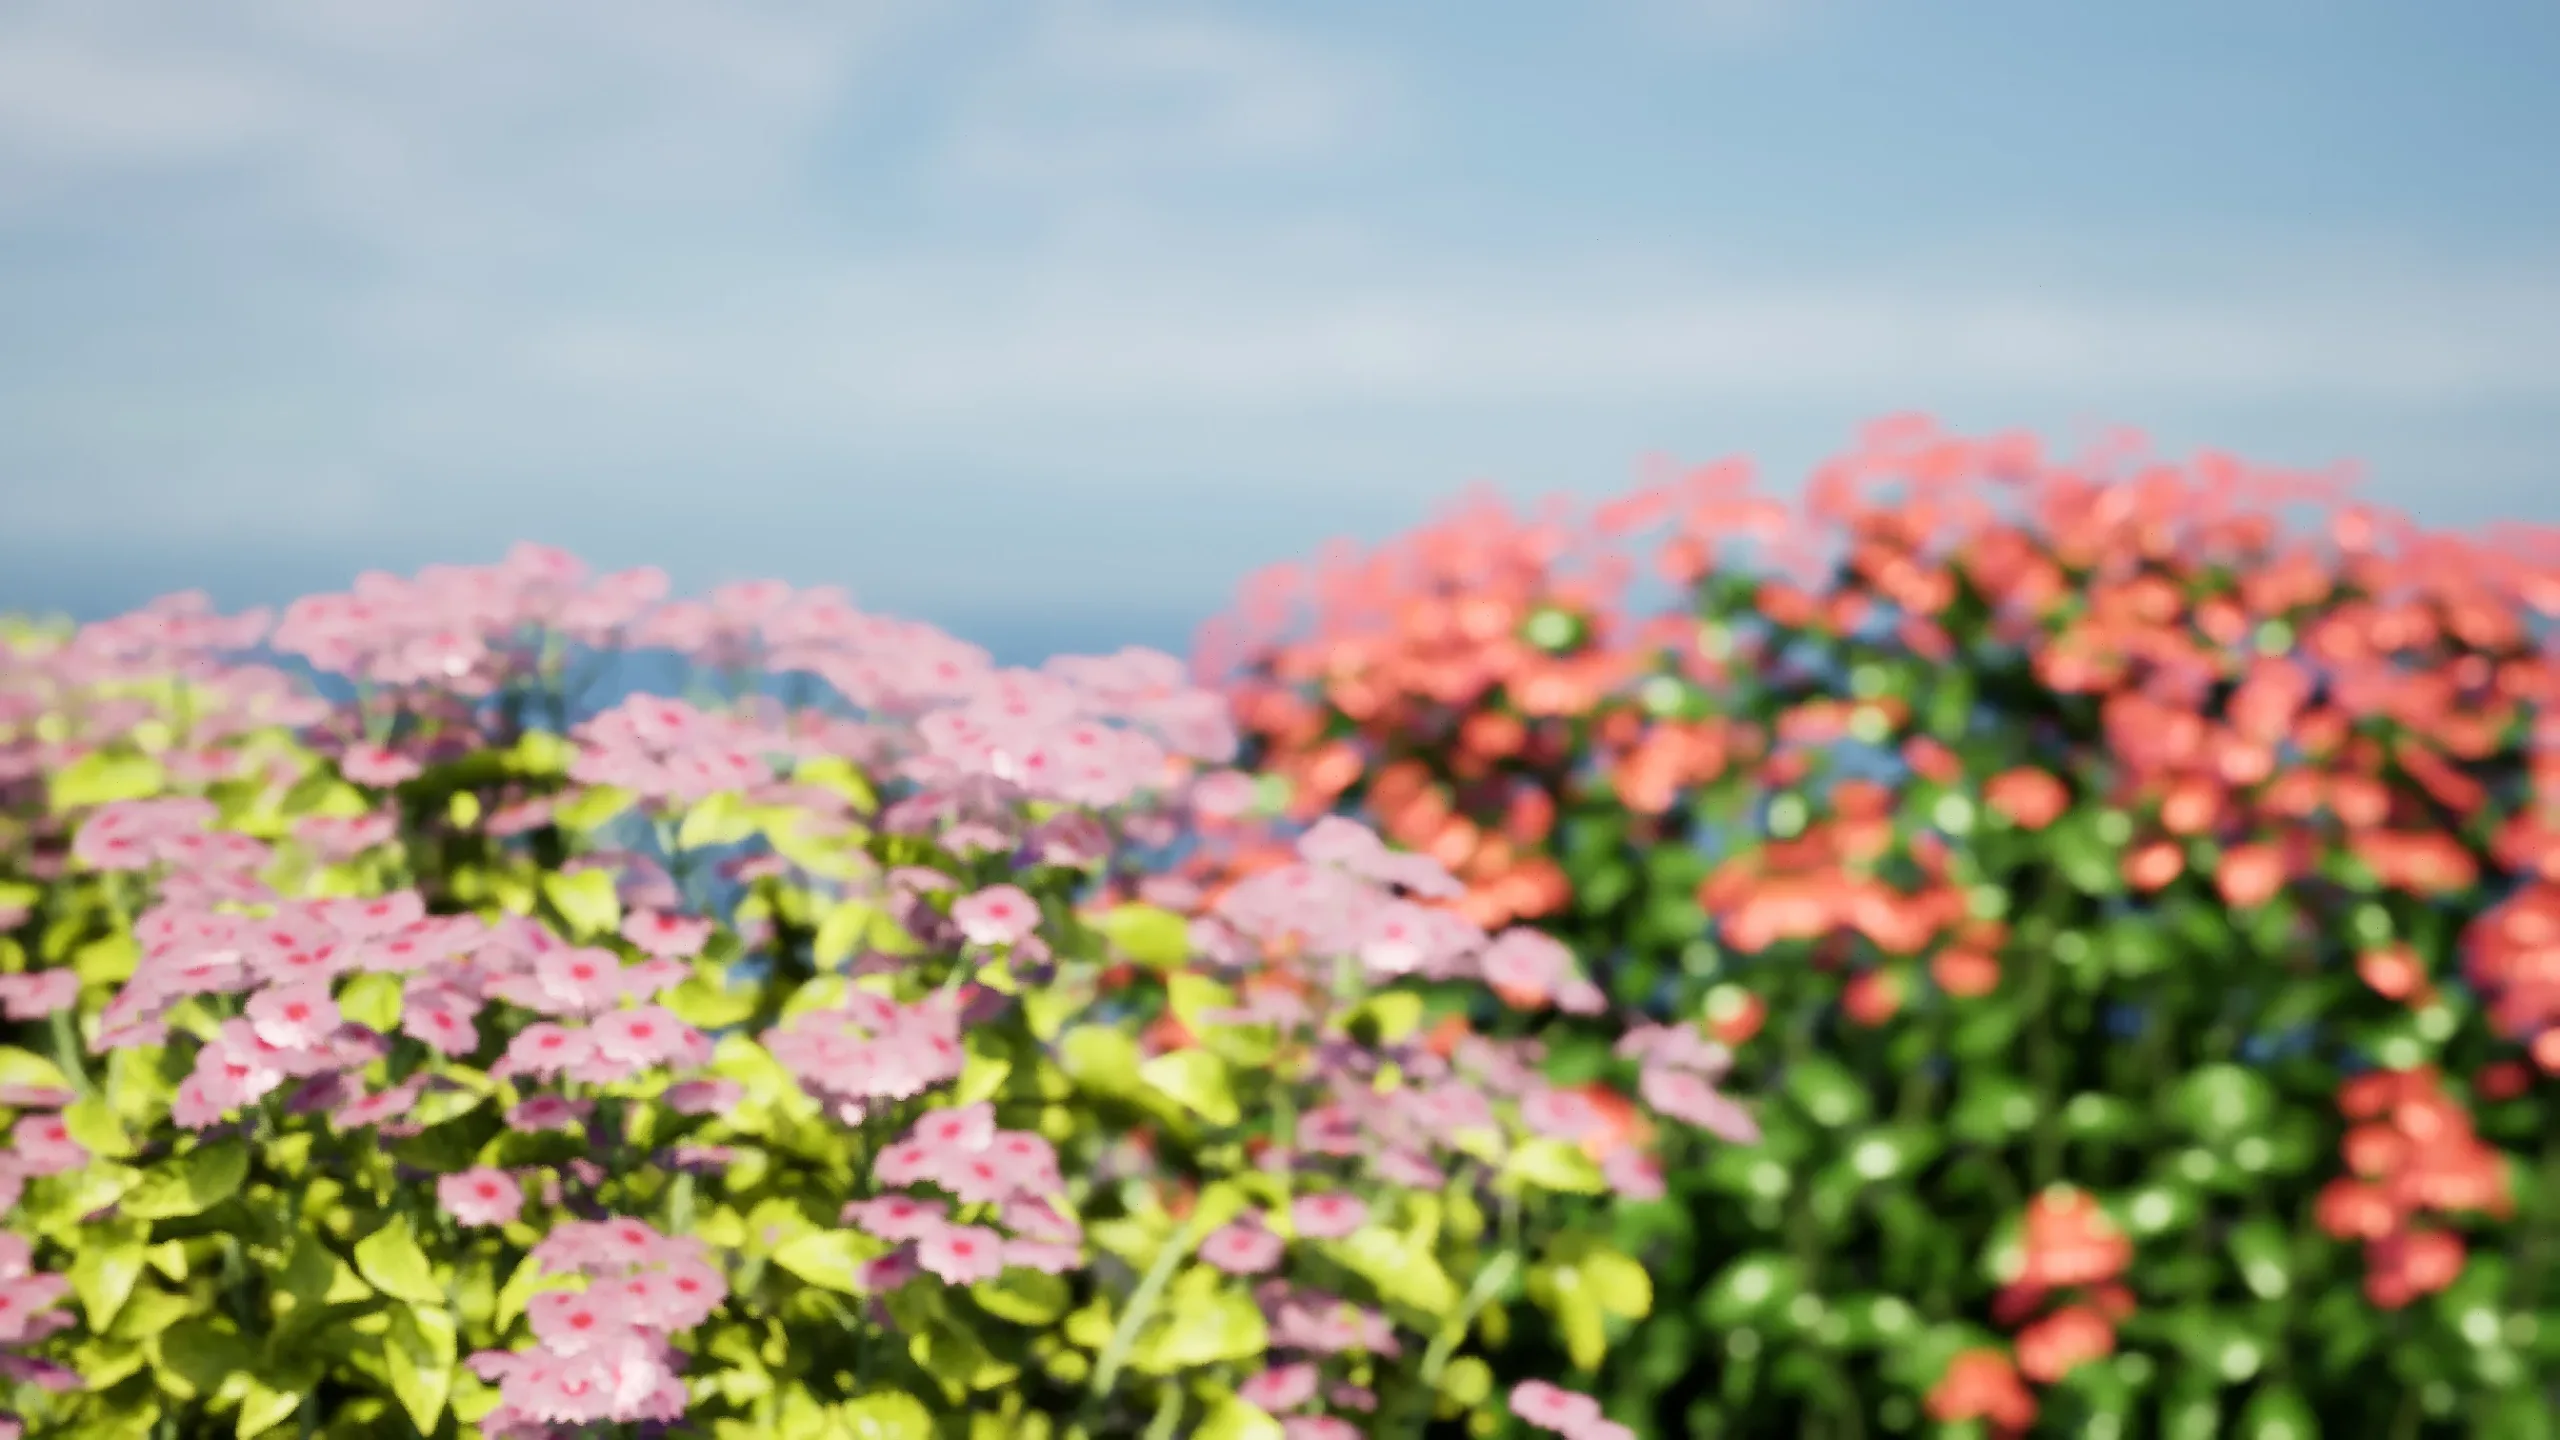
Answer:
(2136, 883)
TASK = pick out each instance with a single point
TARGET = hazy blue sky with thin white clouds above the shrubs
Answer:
(1053, 319)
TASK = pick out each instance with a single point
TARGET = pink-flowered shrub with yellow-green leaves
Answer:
(413, 1036)
